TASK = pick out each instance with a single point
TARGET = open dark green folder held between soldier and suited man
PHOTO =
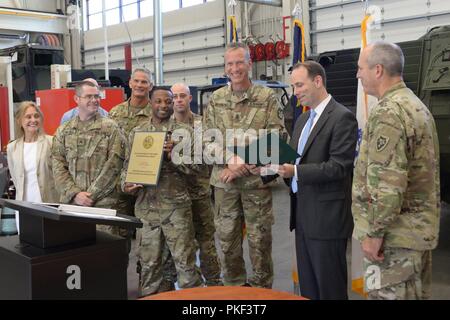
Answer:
(269, 149)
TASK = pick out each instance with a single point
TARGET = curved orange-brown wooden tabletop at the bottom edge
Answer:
(224, 293)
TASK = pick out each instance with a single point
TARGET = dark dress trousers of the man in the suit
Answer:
(322, 267)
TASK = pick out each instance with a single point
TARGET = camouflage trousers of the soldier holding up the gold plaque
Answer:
(174, 228)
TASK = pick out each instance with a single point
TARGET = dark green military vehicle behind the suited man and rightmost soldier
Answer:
(426, 72)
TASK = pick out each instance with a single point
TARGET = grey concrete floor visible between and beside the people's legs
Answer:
(283, 252)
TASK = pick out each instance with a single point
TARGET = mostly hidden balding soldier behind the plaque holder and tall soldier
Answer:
(199, 192)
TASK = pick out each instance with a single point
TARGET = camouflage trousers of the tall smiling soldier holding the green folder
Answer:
(254, 207)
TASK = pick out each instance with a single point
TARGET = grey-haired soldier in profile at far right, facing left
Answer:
(396, 197)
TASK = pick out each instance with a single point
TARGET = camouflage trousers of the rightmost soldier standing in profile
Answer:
(403, 275)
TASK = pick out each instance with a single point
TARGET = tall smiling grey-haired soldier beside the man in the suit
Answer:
(239, 193)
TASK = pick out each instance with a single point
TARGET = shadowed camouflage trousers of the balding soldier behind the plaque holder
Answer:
(204, 235)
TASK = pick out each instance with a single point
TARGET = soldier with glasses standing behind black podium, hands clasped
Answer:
(88, 154)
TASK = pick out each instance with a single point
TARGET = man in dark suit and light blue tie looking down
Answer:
(320, 181)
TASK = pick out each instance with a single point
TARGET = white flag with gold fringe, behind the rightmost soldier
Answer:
(363, 106)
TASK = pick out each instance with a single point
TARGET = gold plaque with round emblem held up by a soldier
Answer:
(146, 158)
